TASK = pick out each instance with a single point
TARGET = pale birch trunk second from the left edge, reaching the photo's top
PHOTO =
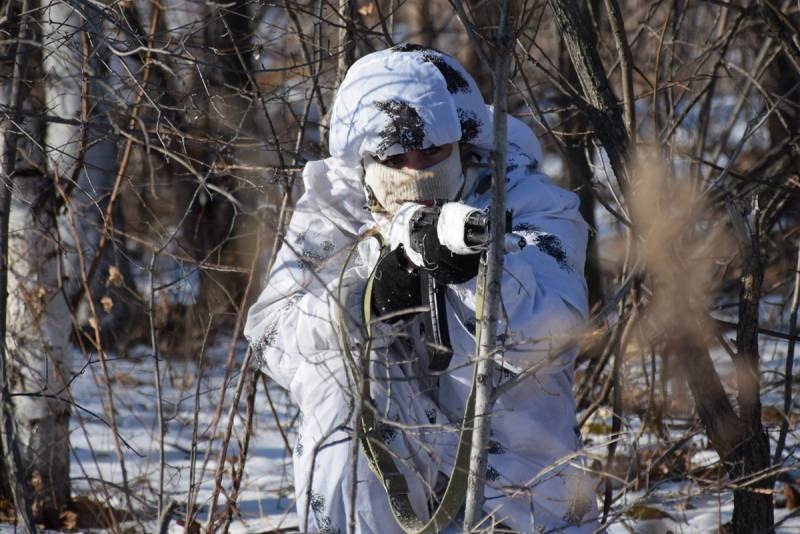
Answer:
(82, 157)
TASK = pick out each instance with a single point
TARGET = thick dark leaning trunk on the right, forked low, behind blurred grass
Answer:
(739, 439)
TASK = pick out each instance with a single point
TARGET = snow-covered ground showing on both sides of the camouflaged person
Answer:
(190, 397)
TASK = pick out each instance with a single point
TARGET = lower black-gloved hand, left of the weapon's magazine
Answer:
(396, 286)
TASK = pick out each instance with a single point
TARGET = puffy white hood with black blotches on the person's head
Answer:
(406, 98)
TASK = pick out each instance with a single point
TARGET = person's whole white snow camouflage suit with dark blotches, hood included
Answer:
(391, 101)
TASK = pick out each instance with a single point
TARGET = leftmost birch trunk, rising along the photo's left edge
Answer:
(37, 319)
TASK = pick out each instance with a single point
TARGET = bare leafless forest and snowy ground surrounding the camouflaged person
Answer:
(151, 153)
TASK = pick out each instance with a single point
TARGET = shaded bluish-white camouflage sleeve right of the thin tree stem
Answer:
(544, 296)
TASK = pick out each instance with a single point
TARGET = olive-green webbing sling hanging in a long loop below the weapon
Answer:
(380, 458)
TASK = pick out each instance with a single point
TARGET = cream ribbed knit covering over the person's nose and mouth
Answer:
(392, 187)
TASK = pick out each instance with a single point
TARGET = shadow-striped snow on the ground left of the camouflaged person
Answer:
(264, 496)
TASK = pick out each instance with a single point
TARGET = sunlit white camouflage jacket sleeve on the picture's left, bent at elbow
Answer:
(295, 319)
